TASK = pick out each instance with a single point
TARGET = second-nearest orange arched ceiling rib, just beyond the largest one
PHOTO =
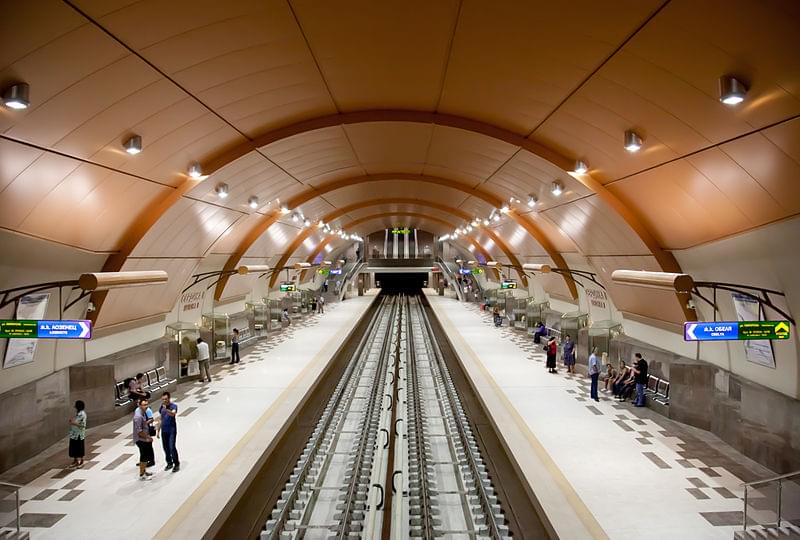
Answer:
(269, 219)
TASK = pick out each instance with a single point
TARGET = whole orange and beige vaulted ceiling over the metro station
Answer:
(325, 106)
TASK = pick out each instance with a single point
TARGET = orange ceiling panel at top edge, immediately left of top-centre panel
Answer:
(246, 59)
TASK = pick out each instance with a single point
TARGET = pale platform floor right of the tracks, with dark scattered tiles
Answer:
(598, 470)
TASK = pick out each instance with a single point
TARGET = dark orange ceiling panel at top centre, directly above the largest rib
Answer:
(378, 55)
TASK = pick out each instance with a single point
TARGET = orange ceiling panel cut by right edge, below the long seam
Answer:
(771, 164)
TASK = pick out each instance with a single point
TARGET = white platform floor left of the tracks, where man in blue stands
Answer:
(224, 427)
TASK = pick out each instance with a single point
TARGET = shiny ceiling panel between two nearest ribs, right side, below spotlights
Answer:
(595, 228)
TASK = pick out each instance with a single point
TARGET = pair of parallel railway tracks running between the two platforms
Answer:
(393, 454)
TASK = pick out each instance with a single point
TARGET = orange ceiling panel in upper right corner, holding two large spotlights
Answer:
(663, 82)
